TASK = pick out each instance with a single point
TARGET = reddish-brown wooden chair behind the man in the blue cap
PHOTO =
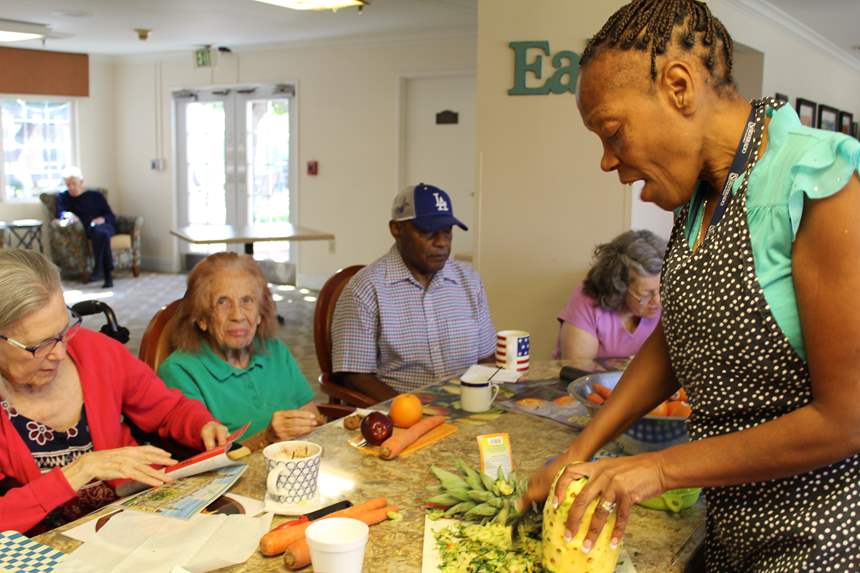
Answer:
(323, 317)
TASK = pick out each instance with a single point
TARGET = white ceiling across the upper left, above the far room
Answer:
(107, 26)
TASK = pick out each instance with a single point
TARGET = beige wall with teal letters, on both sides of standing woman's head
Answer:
(544, 203)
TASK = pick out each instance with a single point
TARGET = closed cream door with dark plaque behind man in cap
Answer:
(439, 148)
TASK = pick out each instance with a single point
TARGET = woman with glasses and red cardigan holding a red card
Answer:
(64, 393)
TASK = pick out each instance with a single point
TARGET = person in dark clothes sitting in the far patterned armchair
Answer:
(95, 214)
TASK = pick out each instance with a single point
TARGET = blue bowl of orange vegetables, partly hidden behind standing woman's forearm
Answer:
(664, 426)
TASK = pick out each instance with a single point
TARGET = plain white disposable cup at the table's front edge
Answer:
(337, 544)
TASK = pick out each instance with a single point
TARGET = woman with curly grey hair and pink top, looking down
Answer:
(617, 308)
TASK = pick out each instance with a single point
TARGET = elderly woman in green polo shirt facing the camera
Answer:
(228, 357)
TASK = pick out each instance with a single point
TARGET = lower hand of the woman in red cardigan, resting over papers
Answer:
(121, 463)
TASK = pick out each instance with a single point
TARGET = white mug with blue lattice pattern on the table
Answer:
(293, 470)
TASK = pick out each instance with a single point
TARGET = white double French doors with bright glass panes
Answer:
(234, 160)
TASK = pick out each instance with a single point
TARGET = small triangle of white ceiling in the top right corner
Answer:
(836, 20)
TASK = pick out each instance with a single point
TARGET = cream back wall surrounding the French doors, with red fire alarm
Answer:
(347, 94)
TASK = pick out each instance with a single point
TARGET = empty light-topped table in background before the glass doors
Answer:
(248, 234)
